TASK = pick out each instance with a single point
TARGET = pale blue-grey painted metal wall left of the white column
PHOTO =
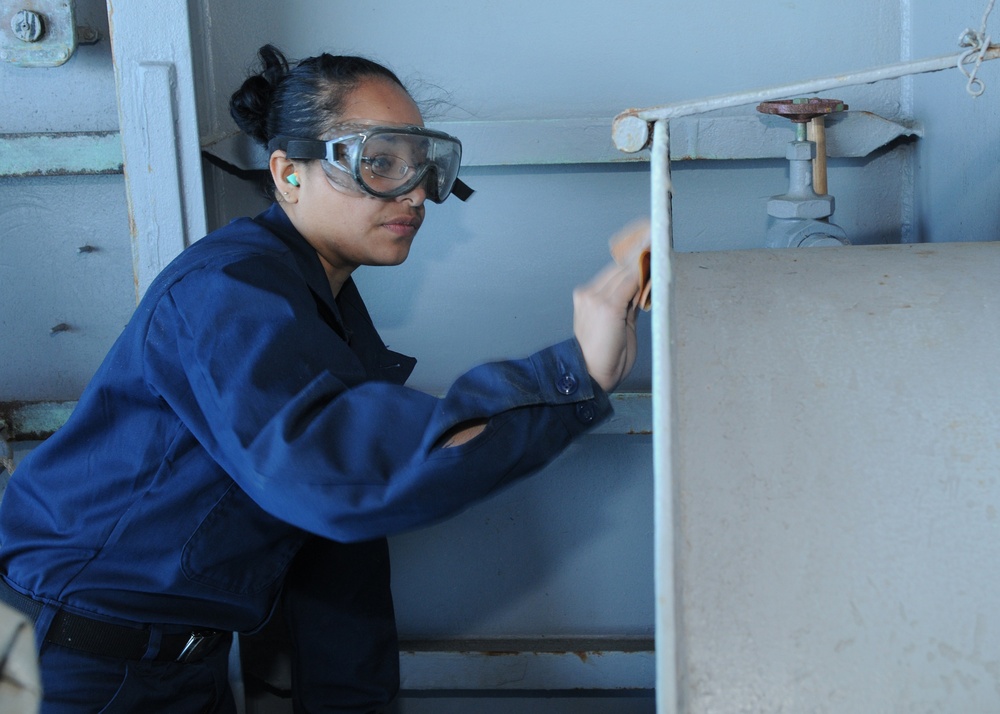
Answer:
(60, 306)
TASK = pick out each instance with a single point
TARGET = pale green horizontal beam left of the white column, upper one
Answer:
(60, 154)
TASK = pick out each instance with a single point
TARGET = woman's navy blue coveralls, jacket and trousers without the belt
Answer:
(246, 419)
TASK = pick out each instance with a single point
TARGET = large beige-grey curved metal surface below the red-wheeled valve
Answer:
(837, 468)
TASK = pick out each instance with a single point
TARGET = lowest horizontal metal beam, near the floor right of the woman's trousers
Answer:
(528, 664)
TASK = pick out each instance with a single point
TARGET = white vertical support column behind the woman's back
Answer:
(151, 44)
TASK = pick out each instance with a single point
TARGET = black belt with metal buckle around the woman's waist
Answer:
(109, 640)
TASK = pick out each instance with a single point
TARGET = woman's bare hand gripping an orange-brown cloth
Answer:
(604, 324)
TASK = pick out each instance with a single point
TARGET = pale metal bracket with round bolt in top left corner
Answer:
(40, 33)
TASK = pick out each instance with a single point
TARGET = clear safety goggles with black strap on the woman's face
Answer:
(386, 161)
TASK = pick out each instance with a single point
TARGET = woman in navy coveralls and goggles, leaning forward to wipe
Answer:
(247, 444)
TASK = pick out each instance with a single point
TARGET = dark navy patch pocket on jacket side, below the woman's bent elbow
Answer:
(240, 548)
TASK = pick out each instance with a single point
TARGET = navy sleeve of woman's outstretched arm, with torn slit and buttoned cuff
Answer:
(275, 395)
